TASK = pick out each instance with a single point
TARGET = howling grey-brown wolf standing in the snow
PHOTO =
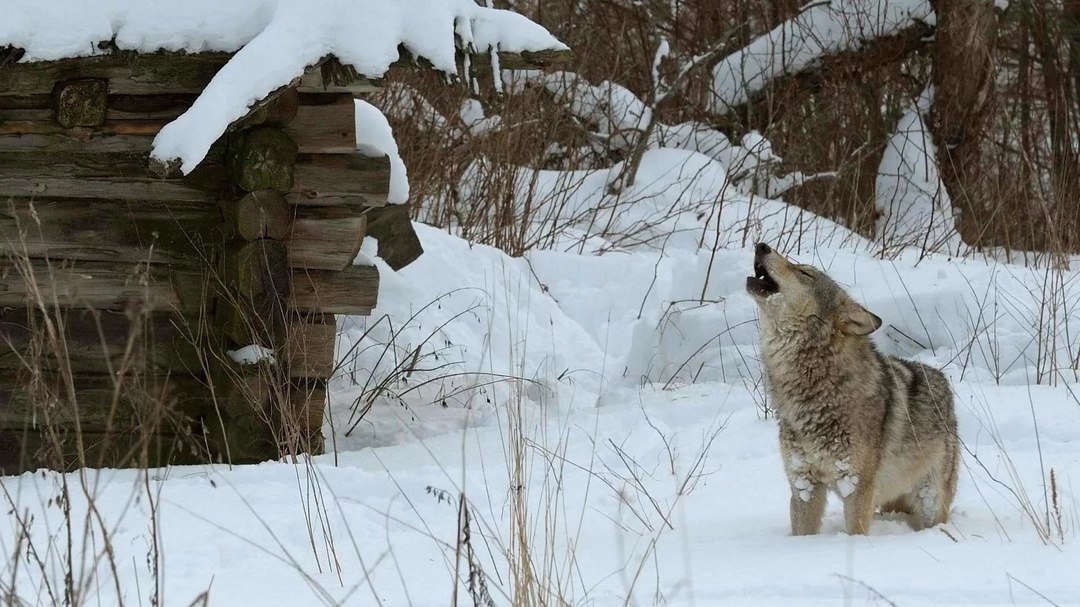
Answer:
(880, 431)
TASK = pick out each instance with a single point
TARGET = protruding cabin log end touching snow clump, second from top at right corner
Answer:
(341, 180)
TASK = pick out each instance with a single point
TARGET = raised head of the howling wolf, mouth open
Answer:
(795, 295)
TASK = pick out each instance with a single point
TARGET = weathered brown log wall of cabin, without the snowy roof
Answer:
(125, 290)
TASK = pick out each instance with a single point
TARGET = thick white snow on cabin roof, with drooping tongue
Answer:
(274, 41)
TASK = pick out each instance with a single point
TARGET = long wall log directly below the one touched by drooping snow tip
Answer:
(104, 231)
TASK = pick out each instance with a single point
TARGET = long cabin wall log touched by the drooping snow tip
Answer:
(124, 177)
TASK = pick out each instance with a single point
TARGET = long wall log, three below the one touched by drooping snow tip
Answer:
(101, 342)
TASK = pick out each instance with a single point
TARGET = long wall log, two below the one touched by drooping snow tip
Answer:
(94, 285)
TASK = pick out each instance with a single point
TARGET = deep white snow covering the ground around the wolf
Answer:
(610, 411)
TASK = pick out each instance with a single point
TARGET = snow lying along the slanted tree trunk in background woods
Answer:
(820, 30)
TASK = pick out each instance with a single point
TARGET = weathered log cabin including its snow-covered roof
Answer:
(183, 203)
